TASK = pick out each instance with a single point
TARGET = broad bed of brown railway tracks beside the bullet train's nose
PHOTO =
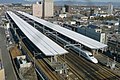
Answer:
(87, 70)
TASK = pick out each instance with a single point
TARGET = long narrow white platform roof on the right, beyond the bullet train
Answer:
(86, 41)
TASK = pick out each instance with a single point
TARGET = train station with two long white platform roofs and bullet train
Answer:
(49, 42)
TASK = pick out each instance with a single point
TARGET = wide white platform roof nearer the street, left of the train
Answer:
(46, 45)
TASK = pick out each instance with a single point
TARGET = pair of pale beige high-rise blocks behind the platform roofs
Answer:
(43, 9)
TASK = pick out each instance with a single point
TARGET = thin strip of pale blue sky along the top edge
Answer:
(12, 1)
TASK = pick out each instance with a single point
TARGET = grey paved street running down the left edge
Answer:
(9, 71)
